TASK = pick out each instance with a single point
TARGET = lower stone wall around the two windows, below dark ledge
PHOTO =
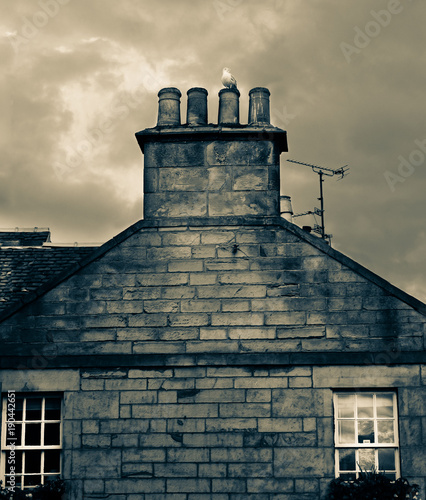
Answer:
(215, 432)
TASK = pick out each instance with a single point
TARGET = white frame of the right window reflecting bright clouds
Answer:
(359, 446)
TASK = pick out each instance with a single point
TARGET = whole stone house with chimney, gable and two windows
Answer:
(212, 350)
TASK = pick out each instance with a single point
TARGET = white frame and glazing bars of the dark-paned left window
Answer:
(43, 448)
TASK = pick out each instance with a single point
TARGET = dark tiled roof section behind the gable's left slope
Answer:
(25, 264)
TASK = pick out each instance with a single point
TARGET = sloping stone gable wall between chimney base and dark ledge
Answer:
(226, 289)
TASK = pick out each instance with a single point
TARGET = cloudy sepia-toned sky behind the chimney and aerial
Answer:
(347, 82)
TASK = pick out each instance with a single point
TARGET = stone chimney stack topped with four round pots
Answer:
(205, 170)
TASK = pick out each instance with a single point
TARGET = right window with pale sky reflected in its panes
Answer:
(366, 433)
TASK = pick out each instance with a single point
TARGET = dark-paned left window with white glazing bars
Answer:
(31, 444)
